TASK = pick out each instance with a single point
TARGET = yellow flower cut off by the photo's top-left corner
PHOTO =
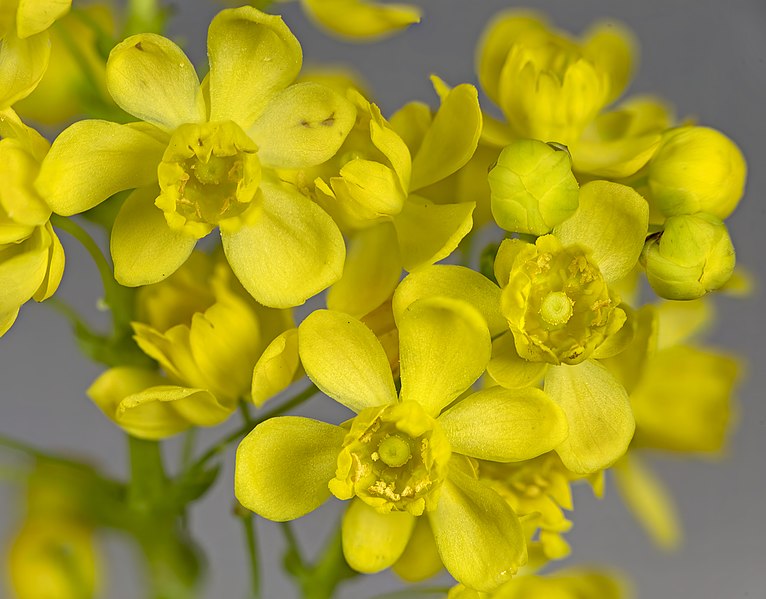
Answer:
(25, 44)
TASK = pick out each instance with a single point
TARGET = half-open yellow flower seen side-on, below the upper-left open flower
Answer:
(207, 334)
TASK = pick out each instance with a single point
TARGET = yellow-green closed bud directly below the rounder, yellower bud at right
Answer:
(691, 257)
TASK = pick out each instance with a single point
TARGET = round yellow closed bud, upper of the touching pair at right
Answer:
(697, 169)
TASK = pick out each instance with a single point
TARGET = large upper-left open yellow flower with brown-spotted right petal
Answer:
(204, 157)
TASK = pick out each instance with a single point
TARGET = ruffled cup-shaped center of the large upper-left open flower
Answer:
(208, 176)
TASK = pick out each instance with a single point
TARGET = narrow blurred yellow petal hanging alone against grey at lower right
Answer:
(646, 496)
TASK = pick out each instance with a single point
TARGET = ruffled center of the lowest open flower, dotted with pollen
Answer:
(394, 458)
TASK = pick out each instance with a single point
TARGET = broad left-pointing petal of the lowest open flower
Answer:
(284, 464)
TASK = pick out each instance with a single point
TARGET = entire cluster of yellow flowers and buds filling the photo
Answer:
(475, 392)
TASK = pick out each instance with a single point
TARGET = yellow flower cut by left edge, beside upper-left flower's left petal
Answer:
(31, 256)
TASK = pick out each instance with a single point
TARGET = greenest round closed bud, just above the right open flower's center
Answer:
(533, 188)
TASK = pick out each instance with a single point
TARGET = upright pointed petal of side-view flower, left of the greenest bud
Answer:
(451, 138)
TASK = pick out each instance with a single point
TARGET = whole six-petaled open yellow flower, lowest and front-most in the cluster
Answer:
(403, 456)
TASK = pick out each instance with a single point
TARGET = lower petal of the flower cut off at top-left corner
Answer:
(23, 63)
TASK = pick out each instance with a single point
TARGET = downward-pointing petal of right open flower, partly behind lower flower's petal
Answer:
(597, 408)
